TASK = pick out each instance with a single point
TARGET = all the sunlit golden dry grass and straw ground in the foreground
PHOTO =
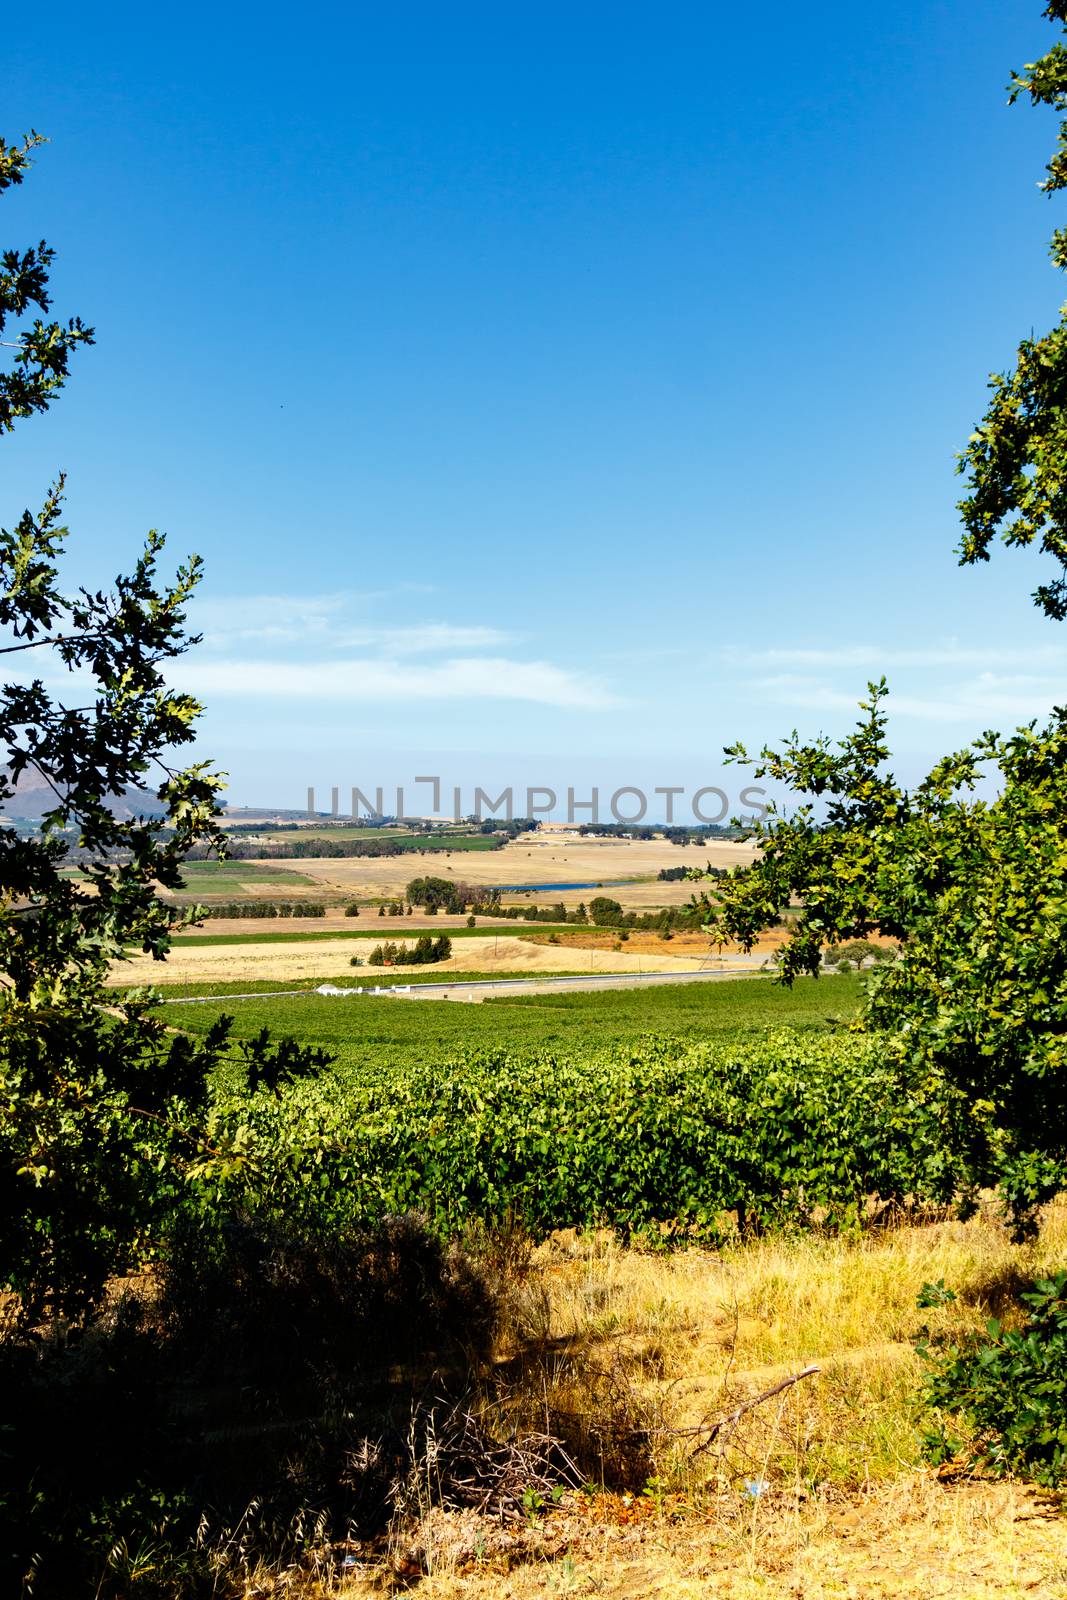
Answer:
(637, 1356)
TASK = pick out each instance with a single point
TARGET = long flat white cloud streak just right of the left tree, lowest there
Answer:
(361, 681)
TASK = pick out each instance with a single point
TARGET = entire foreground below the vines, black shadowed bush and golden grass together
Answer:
(500, 1420)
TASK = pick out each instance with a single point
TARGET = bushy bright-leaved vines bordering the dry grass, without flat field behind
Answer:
(685, 1140)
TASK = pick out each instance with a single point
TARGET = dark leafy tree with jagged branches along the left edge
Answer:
(92, 1095)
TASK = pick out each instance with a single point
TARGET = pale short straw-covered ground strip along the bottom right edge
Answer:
(916, 1540)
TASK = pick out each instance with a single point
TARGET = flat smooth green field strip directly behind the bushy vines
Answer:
(378, 1034)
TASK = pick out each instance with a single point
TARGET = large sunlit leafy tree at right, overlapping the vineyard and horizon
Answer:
(973, 889)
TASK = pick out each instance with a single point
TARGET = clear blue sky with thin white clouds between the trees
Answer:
(554, 393)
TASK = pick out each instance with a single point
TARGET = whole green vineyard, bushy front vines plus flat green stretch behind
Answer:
(709, 1100)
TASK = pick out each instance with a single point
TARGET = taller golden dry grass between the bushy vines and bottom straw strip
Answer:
(690, 1334)
